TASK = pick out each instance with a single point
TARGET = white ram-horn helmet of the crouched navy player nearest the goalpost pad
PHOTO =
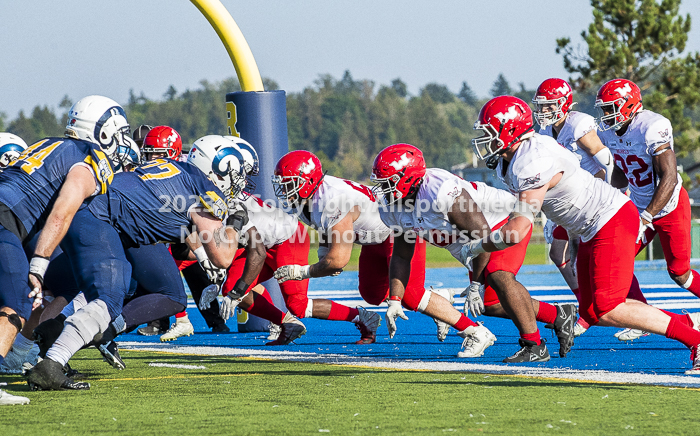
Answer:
(221, 161)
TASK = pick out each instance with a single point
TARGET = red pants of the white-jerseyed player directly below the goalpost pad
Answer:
(294, 251)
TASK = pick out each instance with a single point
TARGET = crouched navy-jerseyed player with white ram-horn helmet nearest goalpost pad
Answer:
(158, 202)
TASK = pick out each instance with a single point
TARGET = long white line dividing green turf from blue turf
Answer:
(340, 359)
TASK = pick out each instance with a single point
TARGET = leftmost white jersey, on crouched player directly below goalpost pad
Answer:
(273, 224)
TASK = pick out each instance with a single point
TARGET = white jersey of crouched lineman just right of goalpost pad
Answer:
(335, 198)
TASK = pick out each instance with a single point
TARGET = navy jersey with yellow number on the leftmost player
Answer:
(30, 184)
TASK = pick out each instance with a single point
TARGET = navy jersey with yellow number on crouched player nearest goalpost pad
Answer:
(153, 203)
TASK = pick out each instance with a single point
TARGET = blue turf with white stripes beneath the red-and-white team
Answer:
(416, 339)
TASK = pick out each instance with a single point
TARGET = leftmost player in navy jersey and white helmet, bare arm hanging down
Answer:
(43, 188)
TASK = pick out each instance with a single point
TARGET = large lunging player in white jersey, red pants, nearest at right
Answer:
(547, 177)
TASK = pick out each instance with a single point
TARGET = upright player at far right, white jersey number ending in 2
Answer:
(642, 144)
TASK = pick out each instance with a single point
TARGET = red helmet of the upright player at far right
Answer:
(617, 102)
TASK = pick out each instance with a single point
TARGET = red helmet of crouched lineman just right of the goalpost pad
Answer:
(297, 176)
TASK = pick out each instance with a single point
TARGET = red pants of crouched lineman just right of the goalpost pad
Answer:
(374, 274)
